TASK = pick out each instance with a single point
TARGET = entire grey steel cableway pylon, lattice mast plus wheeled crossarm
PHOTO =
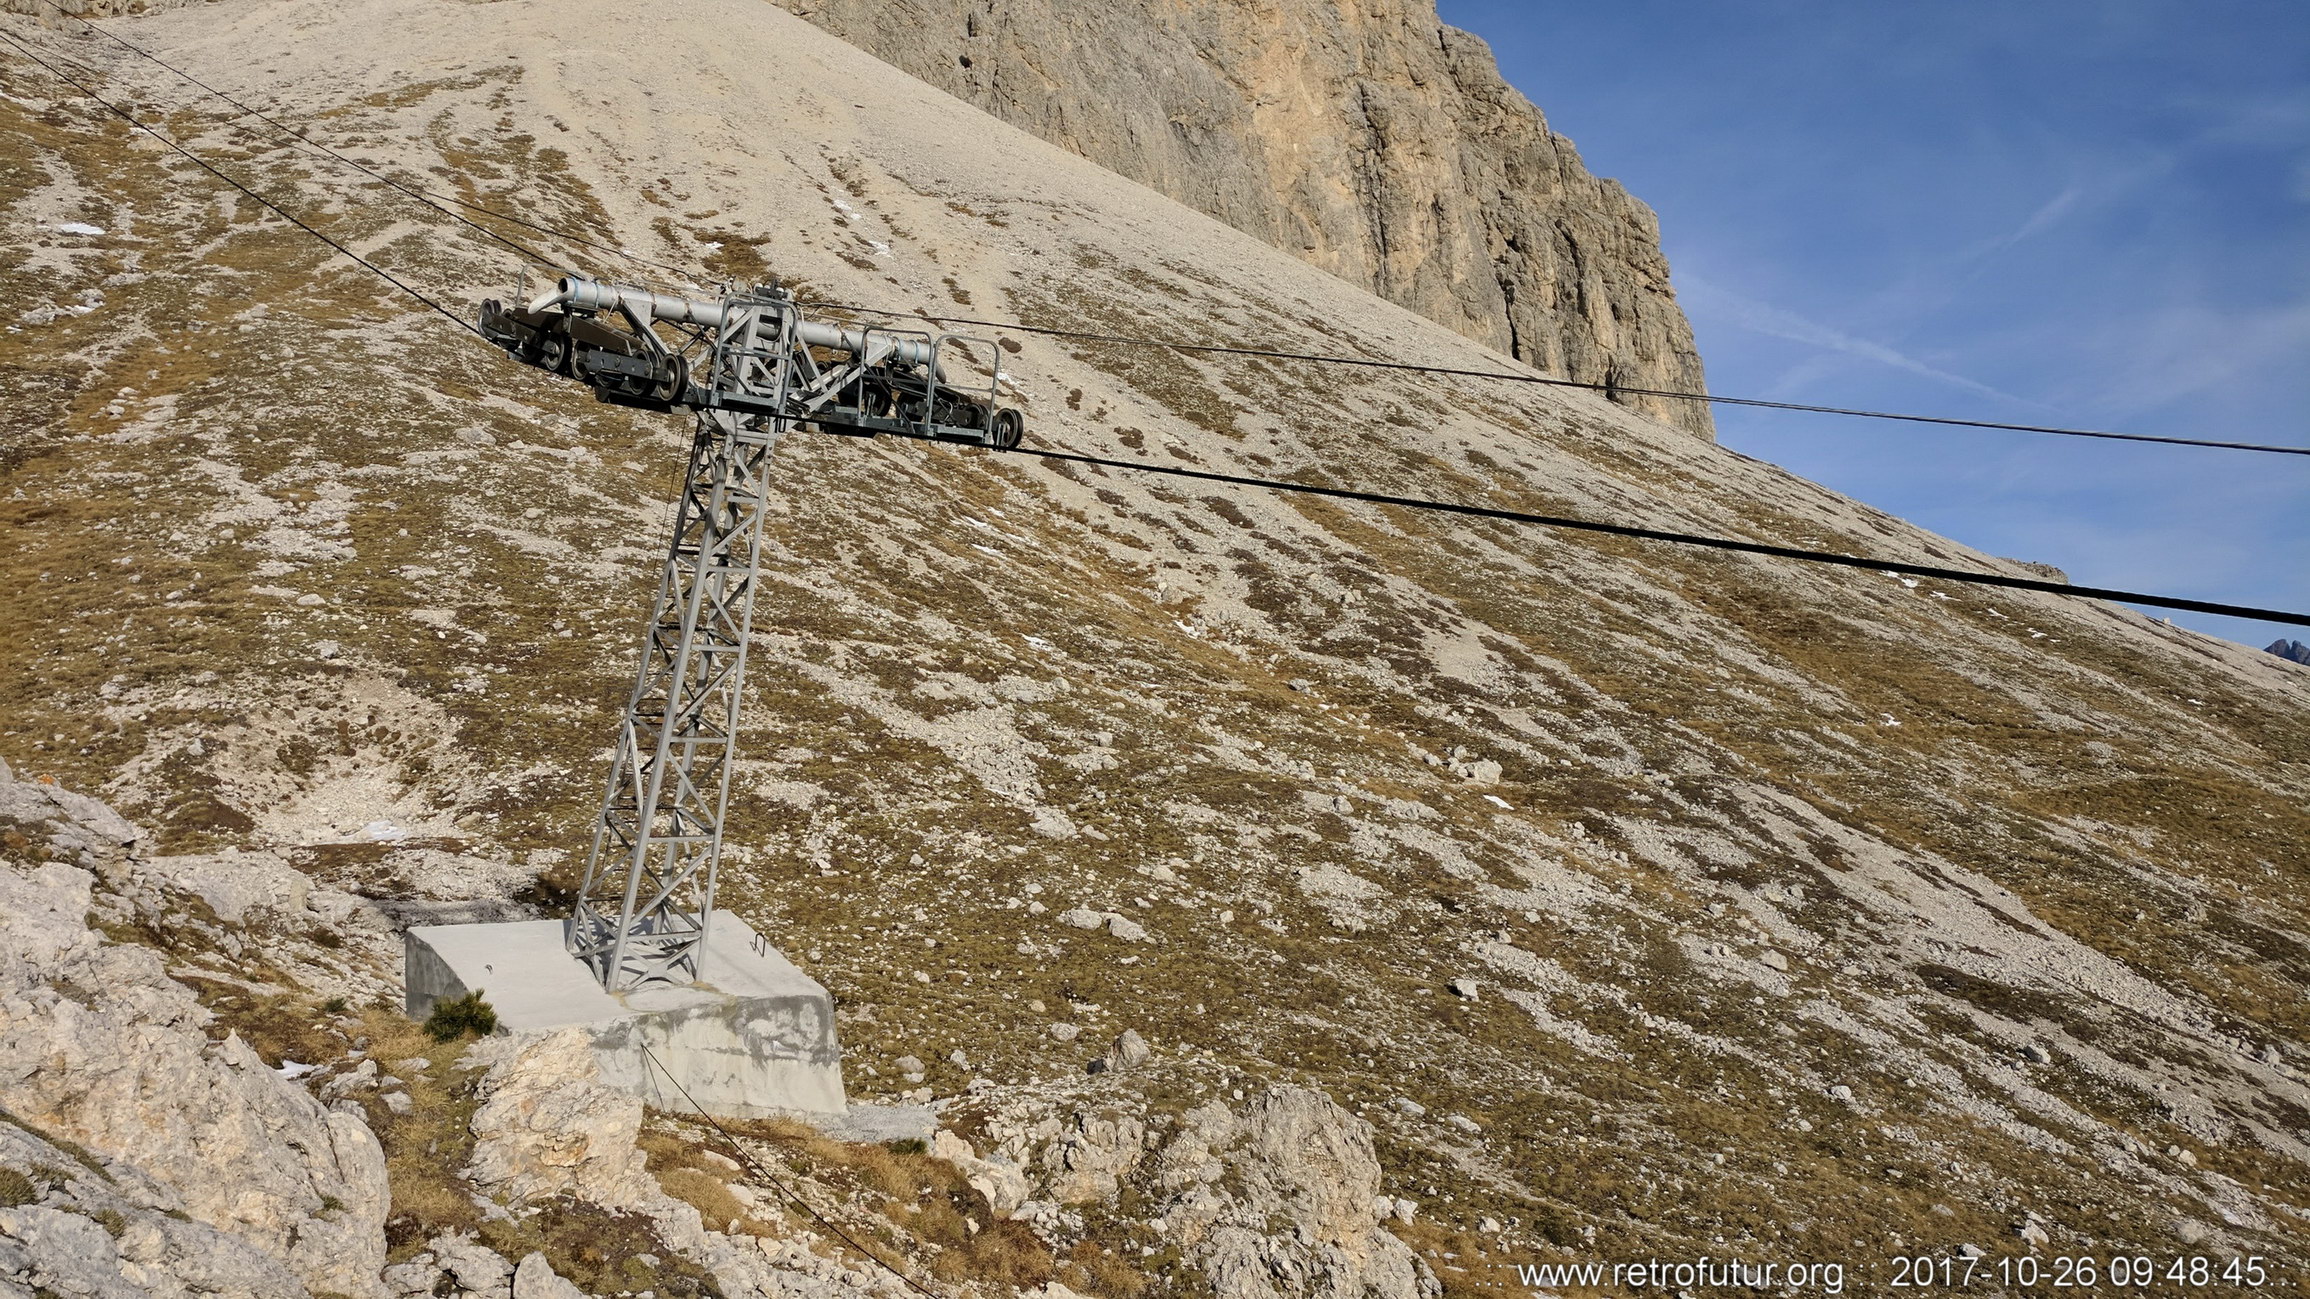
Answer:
(752, 366)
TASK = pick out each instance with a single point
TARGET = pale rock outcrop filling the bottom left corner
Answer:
(100, 1048)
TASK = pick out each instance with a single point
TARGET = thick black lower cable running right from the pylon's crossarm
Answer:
(1965, 577)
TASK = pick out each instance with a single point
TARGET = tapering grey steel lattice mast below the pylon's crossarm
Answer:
(650, 877)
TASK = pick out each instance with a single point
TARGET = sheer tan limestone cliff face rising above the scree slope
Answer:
(1364, 138)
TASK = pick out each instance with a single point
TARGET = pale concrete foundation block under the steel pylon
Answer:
(752, 1039)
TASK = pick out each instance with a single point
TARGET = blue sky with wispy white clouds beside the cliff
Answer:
(2052, 211)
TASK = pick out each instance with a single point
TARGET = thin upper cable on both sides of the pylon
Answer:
(1611, 389)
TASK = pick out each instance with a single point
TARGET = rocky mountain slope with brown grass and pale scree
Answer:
(1473, 893)
